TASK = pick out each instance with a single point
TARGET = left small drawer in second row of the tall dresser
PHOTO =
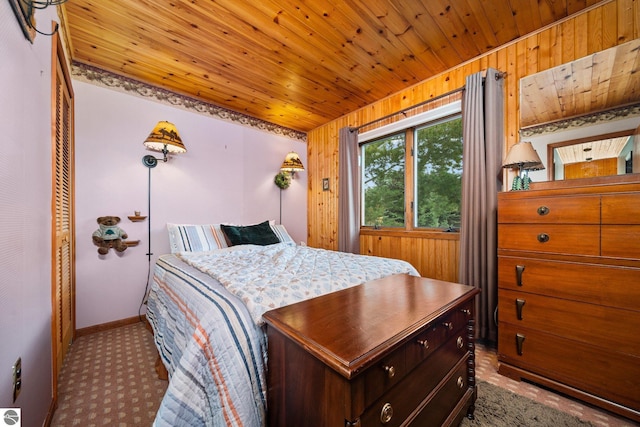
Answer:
(550, 238)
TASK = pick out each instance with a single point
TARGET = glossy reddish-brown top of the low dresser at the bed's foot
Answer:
(353, 327)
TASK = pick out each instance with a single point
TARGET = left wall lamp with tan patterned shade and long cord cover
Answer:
(165, 139)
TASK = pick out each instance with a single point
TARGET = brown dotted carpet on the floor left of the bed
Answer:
(108, 379)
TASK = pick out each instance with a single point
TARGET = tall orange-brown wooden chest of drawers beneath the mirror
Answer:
(569, 291)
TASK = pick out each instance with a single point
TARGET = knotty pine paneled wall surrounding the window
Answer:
(606, 25)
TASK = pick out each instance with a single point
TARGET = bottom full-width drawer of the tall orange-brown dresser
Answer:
(596, 370)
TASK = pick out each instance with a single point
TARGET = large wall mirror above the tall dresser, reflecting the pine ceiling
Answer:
(591, 104)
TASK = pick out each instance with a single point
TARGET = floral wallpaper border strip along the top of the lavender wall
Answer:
(110, 80)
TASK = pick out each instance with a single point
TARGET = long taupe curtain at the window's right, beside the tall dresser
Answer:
(483, 136)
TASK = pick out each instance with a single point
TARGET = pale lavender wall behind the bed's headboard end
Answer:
(225, 176)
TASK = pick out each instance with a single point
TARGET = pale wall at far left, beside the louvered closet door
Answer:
(25, 214)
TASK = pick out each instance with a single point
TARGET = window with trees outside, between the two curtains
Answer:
(413, 178)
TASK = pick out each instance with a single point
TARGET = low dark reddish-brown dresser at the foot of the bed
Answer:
(397, 351)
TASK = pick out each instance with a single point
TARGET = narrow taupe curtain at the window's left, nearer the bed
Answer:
(348, 192)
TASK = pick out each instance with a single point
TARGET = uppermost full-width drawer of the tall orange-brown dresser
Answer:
(594, 283)
